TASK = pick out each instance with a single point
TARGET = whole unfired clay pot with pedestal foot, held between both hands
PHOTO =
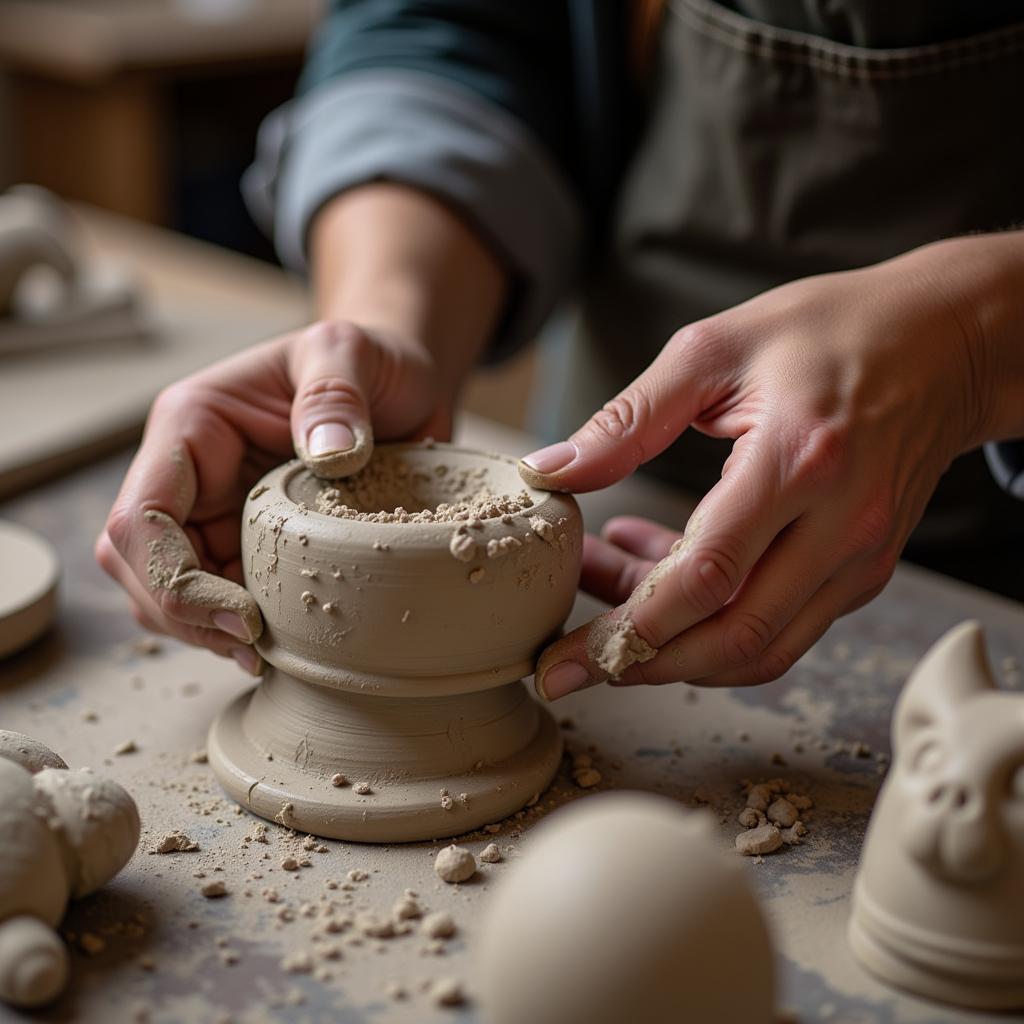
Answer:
(397, 650)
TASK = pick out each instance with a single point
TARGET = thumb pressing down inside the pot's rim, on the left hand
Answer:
(332, 370)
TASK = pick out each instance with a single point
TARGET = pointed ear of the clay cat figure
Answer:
(953, 671)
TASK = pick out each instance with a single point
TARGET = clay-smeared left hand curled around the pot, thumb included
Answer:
(173, 537)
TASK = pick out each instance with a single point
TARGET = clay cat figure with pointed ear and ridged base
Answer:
(937, 905)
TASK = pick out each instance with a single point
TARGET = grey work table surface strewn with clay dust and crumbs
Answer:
(174, 956)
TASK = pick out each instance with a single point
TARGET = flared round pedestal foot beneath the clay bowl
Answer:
(276, 750)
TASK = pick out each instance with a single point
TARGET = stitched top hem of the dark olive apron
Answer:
(868, 67)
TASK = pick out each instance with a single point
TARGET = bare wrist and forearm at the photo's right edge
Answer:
(983, 280)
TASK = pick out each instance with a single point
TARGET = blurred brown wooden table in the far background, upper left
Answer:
(93, 83)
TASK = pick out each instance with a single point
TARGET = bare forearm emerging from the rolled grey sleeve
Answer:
(394, 260)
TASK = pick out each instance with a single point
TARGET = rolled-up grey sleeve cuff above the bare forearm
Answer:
(424, 132)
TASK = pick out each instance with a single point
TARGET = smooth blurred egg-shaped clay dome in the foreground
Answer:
(625, 909)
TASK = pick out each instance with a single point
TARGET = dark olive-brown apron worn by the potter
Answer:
(772, 155)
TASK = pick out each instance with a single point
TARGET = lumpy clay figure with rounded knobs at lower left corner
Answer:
(65, 834)
